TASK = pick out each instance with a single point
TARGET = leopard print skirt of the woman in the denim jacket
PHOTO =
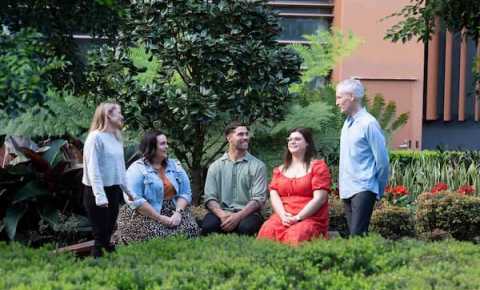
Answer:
(132, 226)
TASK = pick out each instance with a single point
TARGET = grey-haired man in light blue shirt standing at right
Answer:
(363, 172)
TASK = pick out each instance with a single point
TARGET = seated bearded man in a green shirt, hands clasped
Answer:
(236, 187)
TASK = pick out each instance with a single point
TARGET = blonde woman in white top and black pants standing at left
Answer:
(104, 174)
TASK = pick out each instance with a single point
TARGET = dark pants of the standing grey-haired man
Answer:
(358, 211)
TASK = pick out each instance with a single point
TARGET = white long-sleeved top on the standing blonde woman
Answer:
(103, 164)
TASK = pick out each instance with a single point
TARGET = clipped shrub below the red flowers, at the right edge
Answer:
(451, 212)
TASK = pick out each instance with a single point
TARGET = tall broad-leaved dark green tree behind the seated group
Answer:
(219, 61)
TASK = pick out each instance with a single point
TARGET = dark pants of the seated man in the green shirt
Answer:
(248, 226)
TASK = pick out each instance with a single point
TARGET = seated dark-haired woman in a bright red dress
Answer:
(298, 193)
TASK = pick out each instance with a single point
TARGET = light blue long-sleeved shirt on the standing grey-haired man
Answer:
(363, 156)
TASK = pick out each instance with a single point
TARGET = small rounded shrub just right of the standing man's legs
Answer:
(393, 222)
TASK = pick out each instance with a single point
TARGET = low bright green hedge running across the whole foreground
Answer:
(232, 262)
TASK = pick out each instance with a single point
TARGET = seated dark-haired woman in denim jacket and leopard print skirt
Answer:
(162, 194)
